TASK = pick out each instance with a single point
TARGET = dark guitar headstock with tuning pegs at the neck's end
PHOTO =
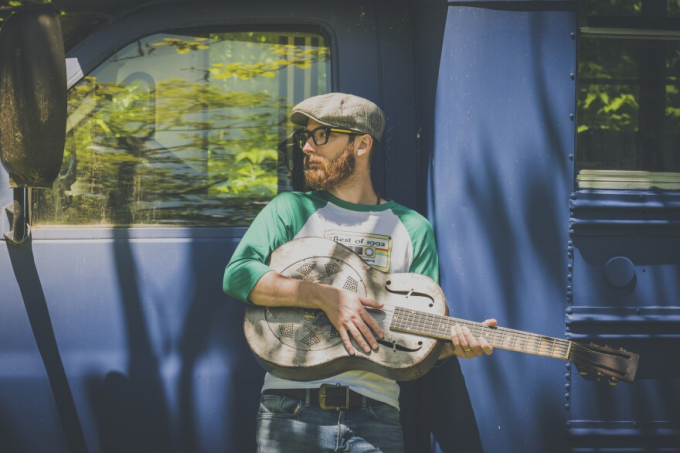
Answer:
(617, 364)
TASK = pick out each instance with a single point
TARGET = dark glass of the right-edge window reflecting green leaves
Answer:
(628, 98)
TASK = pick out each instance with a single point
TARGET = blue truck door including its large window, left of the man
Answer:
(172, 147)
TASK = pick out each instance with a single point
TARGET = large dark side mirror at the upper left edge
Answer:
(32, 97)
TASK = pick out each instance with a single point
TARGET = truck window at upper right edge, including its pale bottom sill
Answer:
(628, 120)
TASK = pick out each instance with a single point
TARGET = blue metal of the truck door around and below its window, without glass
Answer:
(148, 353)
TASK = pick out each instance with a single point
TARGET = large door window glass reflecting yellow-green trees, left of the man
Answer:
(183, 129)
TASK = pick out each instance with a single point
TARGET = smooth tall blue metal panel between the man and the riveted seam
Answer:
(501, 175)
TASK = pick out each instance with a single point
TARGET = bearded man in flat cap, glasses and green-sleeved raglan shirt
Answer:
(340, 132)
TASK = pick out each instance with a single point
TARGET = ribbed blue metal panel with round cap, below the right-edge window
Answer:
(626, 292)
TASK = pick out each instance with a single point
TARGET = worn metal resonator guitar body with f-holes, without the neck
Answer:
(302, 344)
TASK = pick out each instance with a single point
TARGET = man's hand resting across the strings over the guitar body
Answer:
(346, 311)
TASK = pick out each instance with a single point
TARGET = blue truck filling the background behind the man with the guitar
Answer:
(541, 139)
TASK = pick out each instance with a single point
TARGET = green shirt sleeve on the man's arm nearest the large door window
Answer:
(275, 225)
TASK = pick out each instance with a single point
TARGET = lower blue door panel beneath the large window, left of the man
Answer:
(155, 355)
